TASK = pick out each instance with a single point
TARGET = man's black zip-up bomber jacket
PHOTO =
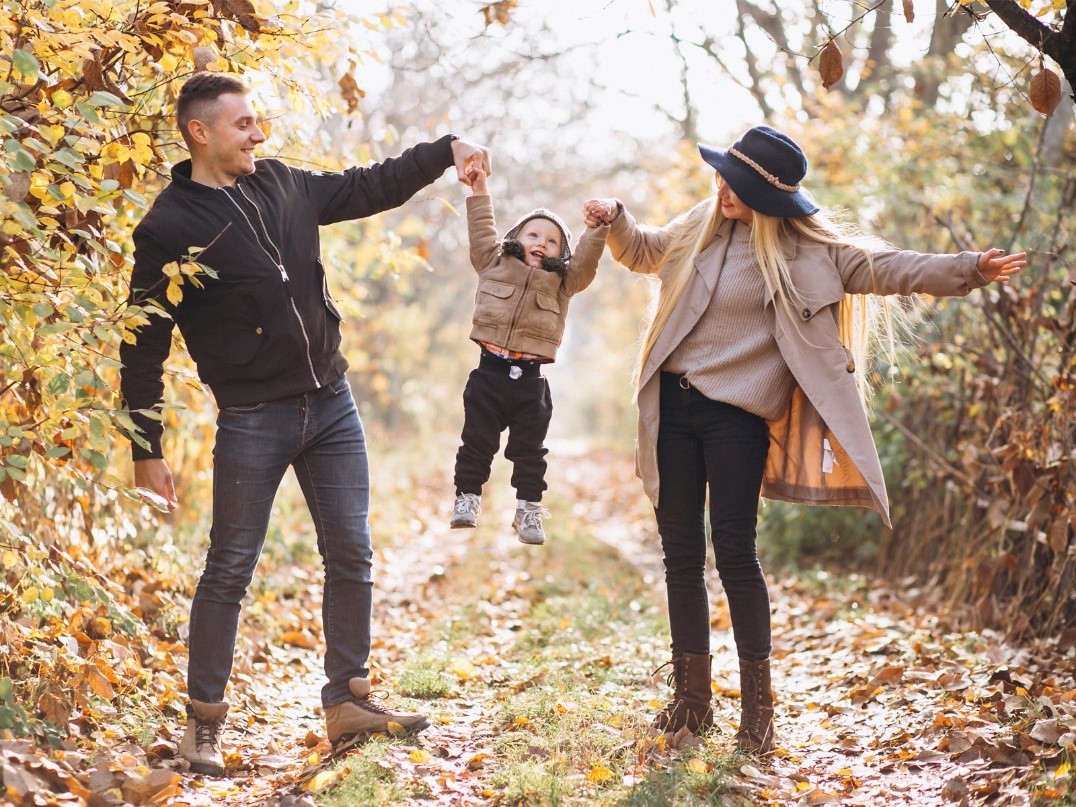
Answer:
(266, 327)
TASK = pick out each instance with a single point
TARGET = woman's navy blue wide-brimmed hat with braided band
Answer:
(764, 168)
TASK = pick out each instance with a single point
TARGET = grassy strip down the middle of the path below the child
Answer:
(563, 640)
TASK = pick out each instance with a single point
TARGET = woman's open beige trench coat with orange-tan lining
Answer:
(822, 451)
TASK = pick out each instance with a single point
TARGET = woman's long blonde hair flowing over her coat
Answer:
(865, 322)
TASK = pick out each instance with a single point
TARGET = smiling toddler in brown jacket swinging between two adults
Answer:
(526, 284)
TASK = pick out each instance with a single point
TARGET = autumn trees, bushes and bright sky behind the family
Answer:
(940, 128)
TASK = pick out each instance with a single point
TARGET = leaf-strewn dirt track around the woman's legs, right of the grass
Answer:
(876, 703)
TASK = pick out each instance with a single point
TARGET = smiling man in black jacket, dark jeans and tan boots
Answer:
(264, 333)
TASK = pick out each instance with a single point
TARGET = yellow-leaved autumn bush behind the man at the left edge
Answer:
(87, 94)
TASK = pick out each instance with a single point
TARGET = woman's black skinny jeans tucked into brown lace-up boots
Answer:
(706, 444)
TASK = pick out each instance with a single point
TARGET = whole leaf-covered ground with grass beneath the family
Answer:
(539, 691)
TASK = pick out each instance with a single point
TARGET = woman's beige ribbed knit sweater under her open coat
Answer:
(731, 356)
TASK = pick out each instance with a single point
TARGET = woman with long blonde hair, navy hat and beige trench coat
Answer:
(747, 385)
